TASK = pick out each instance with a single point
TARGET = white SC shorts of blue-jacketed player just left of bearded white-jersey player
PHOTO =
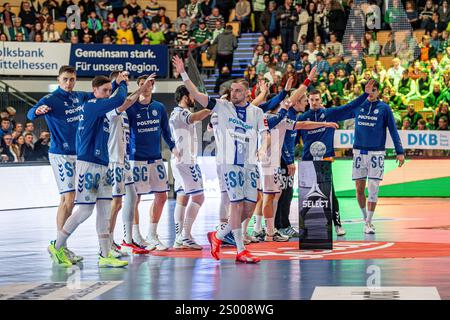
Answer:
(150, 177)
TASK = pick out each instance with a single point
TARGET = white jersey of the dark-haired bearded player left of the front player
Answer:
(184, 134)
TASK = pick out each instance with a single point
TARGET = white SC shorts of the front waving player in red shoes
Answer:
(241, 182)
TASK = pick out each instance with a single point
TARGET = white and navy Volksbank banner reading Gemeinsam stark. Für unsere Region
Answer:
(45, 59)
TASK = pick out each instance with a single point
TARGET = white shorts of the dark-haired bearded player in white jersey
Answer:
(188, 178)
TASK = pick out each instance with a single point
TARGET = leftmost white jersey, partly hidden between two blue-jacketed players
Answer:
(119, 136)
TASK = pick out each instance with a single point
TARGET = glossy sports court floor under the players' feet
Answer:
(410, 249)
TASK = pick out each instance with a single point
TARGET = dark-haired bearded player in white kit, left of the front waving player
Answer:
(186, 171)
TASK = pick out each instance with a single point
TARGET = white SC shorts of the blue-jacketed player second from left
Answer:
(94, 182)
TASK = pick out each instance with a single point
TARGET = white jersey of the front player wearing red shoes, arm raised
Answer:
(237, 131)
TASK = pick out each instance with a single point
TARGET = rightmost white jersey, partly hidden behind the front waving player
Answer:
(277, 134)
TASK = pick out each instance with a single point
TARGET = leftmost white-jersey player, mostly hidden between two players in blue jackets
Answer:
(123, 183)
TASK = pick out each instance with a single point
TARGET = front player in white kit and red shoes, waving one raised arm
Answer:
(239, 125)
